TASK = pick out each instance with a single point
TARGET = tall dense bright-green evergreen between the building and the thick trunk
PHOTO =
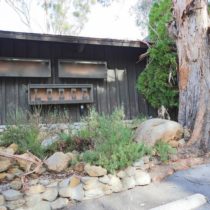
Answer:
(158, 81)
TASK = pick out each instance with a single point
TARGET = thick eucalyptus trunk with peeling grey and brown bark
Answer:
(190, 29)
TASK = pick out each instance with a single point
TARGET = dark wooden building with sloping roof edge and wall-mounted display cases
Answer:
(71, 73)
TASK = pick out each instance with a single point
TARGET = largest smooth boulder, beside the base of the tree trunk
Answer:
(153, 130)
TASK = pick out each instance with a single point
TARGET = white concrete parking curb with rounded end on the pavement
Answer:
(188, 203)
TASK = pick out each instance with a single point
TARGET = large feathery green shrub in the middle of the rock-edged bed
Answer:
(113, 147)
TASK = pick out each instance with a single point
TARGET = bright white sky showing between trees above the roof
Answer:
(115, 21)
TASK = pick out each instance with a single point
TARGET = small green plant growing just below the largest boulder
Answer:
(164, 150)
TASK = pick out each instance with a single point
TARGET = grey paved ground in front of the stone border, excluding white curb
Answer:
(177, 186)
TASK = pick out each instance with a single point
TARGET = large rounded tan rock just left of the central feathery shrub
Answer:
(57, 162)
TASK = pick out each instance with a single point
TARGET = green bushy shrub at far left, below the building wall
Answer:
(26, 137)
